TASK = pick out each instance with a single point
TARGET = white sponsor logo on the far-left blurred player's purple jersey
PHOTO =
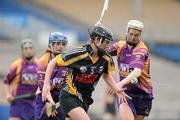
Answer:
(29, 78)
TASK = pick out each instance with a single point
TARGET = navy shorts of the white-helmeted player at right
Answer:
(140, 104)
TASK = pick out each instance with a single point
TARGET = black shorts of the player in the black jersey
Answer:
(69, 102)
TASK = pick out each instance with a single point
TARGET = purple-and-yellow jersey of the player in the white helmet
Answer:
(136, 58)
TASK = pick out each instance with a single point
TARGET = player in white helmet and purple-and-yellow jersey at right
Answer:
(133, 60)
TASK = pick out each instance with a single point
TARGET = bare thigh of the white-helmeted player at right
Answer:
(125, 112)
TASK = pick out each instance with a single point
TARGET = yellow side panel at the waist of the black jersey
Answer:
(70, 85)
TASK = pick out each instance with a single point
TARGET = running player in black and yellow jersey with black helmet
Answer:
(86, 64)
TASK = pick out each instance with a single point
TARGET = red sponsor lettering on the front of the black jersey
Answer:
(87, 78)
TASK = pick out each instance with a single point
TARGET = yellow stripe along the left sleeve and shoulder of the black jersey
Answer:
(61, 62)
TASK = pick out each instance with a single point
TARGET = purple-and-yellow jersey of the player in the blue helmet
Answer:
(57, 78)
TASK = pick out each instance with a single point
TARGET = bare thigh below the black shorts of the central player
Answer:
(78, 113)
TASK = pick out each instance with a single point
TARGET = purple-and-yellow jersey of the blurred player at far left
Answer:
(22, 77)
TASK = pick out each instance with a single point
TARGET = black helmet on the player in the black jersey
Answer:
(102, 32)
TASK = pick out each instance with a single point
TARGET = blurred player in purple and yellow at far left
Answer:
(20, 80)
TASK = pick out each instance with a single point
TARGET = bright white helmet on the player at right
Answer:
(135, 24)
